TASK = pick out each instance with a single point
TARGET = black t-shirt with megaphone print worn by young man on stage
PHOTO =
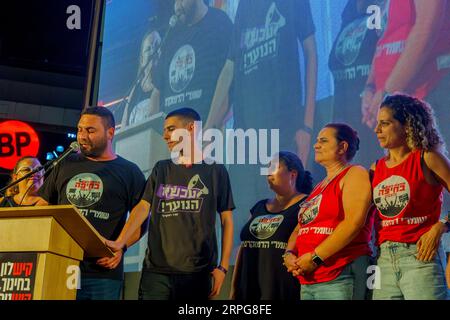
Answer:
(184, 202)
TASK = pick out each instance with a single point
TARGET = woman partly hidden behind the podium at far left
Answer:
(25, 192)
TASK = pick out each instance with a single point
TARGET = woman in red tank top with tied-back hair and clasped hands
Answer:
(333, 230)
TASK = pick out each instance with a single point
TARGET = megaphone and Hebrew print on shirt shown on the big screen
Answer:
(261, 43)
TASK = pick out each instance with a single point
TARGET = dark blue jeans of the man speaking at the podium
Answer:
(99, 289)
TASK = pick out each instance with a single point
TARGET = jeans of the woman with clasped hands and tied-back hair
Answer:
(350, 284)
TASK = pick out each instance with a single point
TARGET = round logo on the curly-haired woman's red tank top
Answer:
(391, 196)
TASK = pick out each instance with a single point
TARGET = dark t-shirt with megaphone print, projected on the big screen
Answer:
(265, 52)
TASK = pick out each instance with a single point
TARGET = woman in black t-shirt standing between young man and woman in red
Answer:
(259, 272)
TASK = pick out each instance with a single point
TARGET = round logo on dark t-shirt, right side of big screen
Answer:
(350, 41)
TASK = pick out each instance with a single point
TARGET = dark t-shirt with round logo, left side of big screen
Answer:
(191, 61)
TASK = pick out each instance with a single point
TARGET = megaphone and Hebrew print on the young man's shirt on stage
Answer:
(175, 199)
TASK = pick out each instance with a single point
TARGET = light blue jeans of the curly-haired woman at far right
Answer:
(403, 277)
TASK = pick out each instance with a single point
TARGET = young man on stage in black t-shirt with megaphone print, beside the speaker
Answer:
(184, 196)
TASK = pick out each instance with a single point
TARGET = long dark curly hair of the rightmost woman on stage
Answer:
(418, 119)
